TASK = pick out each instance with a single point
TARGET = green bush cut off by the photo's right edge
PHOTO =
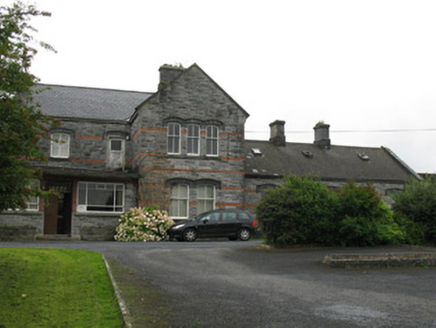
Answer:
(417, 202)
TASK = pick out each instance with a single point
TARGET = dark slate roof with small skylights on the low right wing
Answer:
(338, 163)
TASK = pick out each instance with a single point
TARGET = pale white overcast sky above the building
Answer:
(367, 68)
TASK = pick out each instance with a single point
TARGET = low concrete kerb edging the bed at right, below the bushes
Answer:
(387, 260)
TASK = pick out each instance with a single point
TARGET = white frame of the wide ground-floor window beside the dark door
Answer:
(83, 199)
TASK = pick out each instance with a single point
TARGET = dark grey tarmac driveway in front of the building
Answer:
(235, 284)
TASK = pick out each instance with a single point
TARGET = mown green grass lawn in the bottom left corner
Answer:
(55, 288)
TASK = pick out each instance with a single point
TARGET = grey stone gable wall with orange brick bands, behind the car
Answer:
(192, 98)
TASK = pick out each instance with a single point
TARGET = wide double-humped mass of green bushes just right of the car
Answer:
(304, 211)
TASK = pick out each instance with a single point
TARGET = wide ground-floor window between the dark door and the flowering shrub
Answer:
(100, 197)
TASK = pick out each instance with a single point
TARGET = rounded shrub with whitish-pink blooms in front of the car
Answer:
(143, 224)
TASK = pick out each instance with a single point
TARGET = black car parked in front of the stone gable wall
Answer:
(231, 223)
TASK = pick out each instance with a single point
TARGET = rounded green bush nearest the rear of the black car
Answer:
(300, 211)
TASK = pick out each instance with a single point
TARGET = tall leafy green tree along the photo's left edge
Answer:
(22, 123)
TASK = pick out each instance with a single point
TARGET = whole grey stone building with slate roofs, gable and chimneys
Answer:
(182, 148)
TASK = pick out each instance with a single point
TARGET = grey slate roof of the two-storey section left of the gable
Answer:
(89, 103)
